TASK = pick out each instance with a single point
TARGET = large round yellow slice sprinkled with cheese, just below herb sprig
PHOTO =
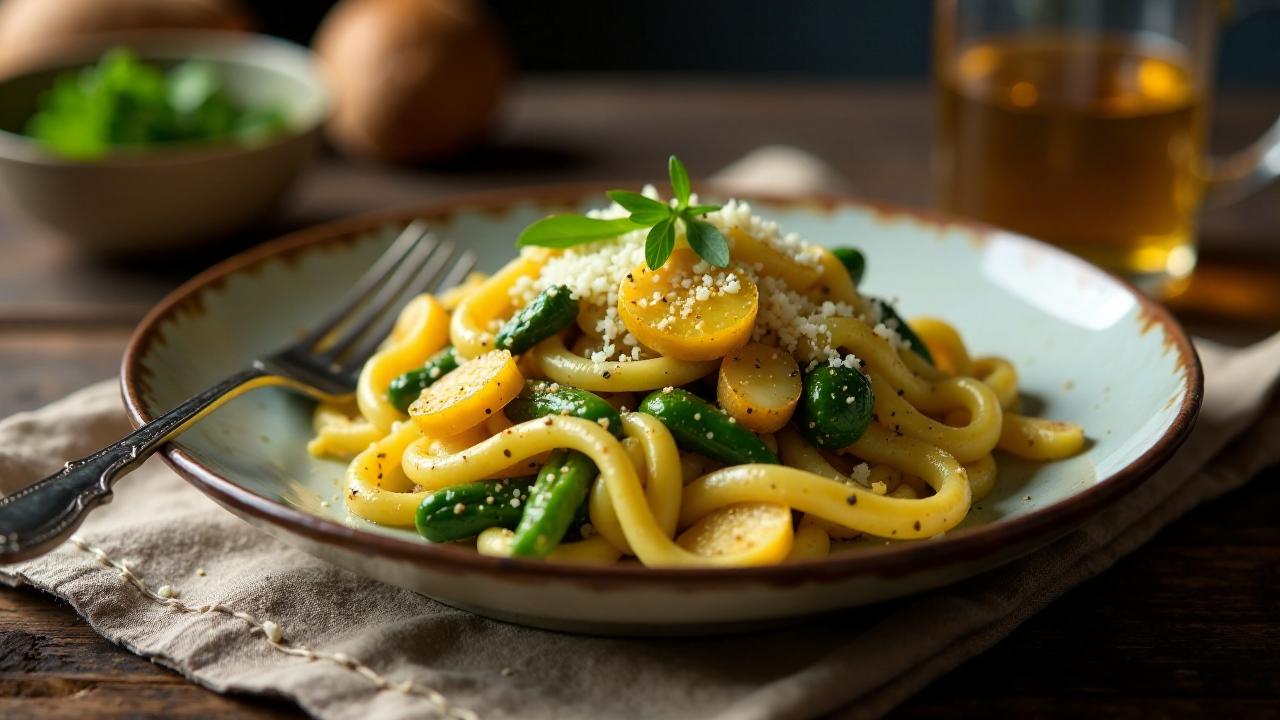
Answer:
(673, 311)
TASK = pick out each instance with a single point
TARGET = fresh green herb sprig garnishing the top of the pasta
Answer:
(661, 218)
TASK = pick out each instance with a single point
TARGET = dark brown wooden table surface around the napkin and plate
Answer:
(1188, 626)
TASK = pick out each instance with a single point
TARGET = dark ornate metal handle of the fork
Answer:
(40, 517)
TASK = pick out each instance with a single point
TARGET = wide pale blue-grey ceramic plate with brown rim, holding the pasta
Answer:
(1089, 349)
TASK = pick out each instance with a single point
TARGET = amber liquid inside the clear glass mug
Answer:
(1091, 144)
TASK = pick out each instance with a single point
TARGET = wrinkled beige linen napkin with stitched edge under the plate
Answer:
(172, 577)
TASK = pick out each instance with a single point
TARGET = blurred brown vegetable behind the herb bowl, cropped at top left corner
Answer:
(35, 30)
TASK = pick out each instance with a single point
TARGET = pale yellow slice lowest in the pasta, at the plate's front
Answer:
(752, 534)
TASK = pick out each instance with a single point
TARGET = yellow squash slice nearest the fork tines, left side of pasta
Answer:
(468, 397)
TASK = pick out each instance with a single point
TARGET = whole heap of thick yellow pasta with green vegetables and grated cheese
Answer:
(898, 445)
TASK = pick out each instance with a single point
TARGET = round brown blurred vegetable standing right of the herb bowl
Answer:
(413, 80)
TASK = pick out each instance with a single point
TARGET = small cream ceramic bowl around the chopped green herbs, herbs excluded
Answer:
(148, 199)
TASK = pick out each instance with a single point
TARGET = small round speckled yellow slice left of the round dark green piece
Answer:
(760, 388)
